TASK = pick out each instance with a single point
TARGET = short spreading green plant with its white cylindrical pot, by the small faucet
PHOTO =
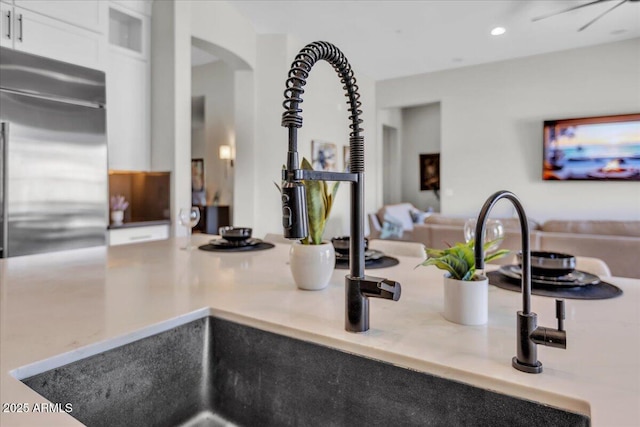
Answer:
(466, 293)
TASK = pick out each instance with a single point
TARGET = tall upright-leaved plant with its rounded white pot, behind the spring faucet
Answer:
(312, 260)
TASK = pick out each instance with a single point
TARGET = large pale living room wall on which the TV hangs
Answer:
(492, 127)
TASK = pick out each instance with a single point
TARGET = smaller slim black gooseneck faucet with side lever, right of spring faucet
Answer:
(529, 334)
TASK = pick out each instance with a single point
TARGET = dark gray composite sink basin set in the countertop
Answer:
(213, 372)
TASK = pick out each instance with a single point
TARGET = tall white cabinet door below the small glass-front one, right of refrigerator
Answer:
(128, 112)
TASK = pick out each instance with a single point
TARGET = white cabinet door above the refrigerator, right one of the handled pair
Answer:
(40, 35)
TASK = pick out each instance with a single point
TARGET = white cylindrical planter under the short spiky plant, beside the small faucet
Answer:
(466, 302)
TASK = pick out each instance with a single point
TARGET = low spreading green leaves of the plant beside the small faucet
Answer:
(459, 260)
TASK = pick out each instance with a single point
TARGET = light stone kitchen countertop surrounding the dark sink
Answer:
(58, 303)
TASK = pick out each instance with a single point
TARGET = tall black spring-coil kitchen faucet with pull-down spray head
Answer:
(358, 287)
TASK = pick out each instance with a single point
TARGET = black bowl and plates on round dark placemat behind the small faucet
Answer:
(554, 274)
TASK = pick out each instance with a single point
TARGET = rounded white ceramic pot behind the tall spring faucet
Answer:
(312, 265)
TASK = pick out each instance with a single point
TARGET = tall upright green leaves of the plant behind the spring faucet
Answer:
(320, 198)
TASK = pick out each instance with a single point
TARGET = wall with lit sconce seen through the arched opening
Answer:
(215, 81)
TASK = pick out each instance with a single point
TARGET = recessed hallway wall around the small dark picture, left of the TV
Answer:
(420, 135)
